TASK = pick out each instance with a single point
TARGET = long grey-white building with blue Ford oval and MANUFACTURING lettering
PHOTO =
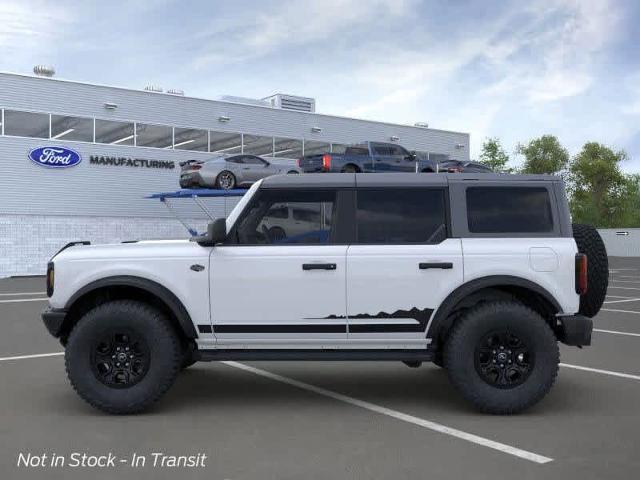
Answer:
(127, 144)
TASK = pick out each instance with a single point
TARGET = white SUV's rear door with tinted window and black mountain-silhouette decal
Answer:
(402, 265)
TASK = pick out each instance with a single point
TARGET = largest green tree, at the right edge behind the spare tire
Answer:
(601, 194)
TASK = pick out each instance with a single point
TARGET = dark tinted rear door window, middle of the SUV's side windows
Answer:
(392, 216)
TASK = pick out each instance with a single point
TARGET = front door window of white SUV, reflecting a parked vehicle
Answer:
(267, 221)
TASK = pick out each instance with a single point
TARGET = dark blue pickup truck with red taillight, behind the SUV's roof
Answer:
(368, 157)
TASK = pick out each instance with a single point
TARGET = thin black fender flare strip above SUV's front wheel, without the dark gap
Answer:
(162, 293)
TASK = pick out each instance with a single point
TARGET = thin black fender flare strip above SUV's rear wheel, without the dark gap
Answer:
(459, 294)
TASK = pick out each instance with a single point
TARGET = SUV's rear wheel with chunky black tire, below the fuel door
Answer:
(502, 356)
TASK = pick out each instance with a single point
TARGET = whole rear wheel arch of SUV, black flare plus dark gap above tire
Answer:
(495, 287)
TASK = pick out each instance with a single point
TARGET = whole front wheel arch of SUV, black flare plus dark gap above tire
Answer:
(132, 287)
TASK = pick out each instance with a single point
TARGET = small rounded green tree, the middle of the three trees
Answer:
(544, 155)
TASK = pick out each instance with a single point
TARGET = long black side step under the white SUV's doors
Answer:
(317, 355)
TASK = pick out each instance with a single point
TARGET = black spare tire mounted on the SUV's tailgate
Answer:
(590, 243)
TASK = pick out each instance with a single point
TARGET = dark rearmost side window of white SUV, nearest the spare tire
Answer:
(509, 210)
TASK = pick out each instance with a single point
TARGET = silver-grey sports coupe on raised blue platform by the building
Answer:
(232, 171)
